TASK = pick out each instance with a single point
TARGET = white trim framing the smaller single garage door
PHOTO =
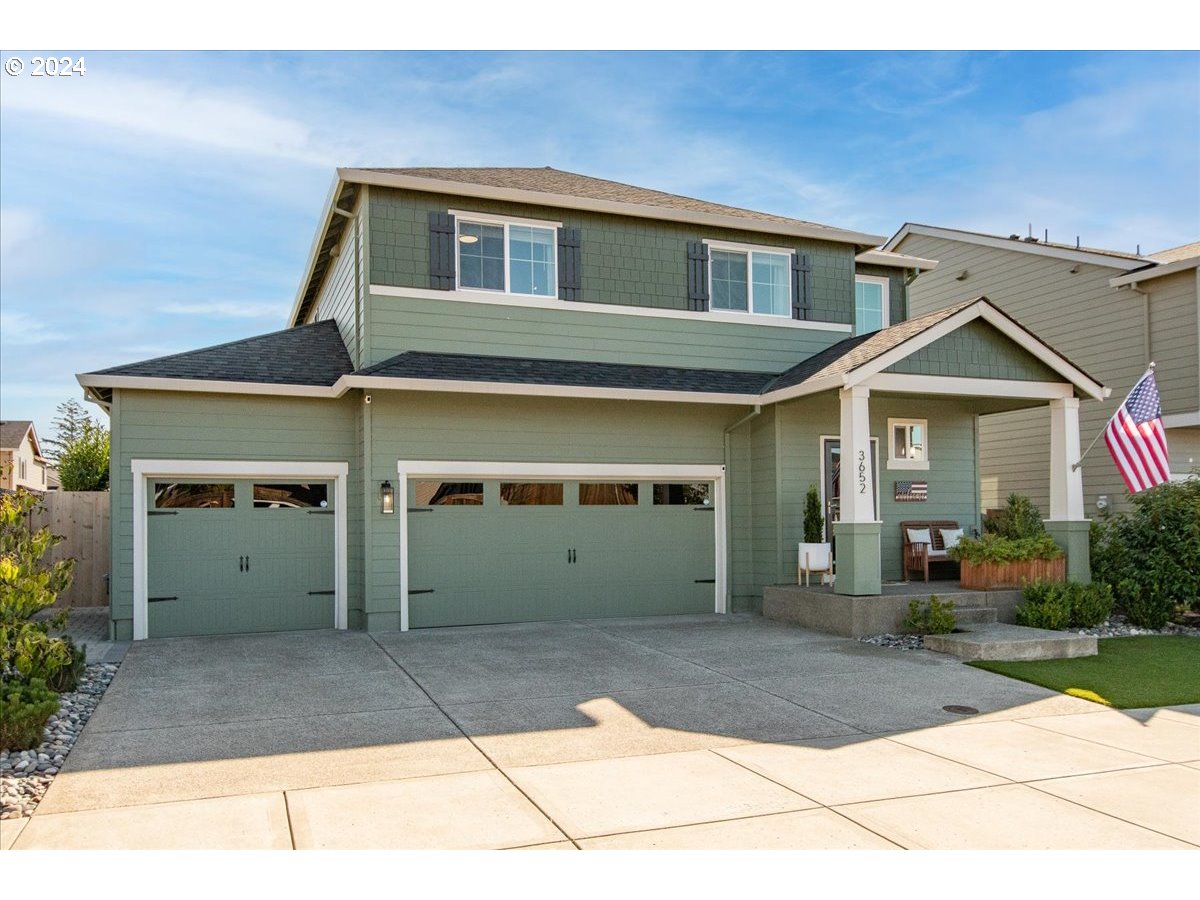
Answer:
(146, 470)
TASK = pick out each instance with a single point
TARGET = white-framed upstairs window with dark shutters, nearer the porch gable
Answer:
(747, 279)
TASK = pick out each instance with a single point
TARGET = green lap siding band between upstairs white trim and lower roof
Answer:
(400, 325)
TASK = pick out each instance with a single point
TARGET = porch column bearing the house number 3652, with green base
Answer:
(857, 532)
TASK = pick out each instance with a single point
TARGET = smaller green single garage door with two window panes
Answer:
(236, 556)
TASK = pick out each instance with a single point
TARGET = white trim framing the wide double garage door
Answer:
(598, 472)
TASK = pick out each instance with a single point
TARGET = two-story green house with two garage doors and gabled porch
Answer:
(511, 395)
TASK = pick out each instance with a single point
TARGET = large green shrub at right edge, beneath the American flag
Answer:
(1155, 547)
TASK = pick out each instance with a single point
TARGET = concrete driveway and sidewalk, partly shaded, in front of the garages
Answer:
(685, 733)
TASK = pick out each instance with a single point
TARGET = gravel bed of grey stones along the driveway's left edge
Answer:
(27, 775)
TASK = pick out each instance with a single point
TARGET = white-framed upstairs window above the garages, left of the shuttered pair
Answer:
(509, 256)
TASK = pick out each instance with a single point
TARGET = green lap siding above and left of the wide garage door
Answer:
(435, 427)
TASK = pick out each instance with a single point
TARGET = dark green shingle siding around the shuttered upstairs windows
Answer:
(626, 261)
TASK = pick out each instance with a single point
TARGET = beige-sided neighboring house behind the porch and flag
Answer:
(1111, 313)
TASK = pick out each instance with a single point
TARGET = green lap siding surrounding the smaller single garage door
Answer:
(153, 425)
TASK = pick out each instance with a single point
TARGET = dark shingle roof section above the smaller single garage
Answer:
(309, 355)
